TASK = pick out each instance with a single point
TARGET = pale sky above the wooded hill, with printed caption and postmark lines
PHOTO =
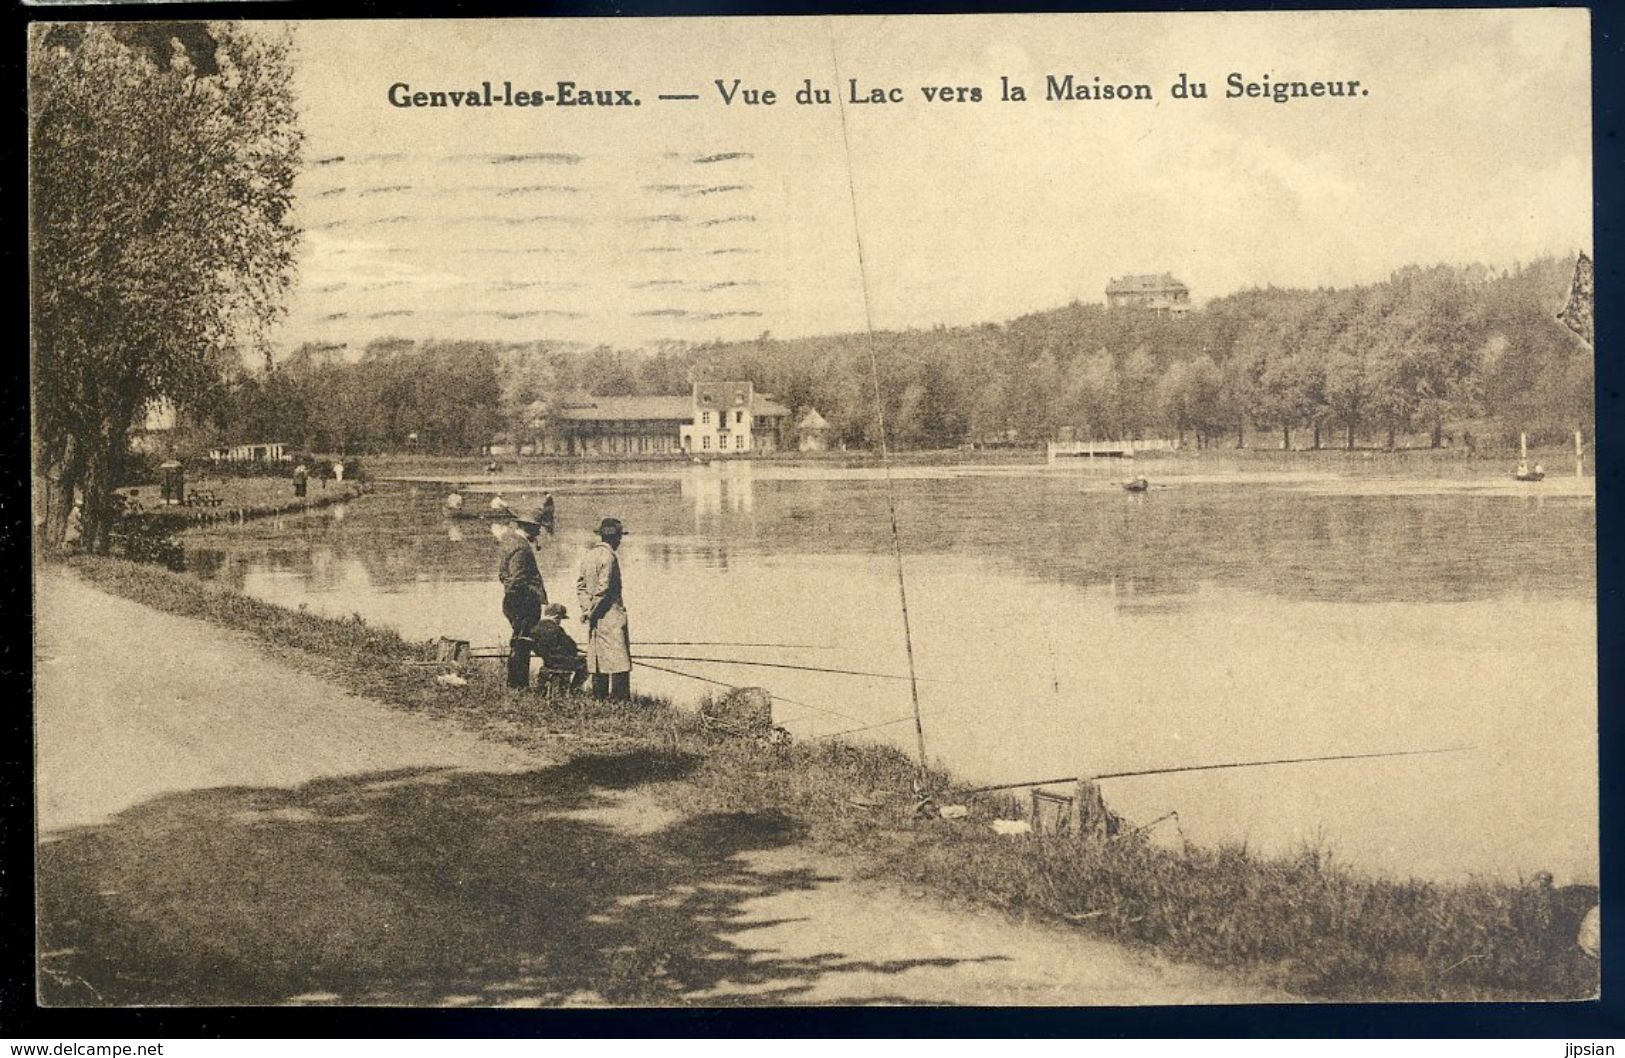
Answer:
(698, 220)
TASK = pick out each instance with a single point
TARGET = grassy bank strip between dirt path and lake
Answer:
(1298, 922)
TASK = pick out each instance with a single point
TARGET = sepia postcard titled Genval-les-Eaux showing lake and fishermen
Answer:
(994, 511)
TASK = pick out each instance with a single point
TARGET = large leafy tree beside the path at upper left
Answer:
(162, 165)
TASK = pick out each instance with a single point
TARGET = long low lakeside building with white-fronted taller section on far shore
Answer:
(717, 418)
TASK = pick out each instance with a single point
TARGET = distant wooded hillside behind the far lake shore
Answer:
(1428, 355)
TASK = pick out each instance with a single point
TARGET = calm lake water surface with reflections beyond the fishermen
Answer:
(1064, 625)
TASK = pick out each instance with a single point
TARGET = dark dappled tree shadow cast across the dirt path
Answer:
(422, 887)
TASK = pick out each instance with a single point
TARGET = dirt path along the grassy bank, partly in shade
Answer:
(220, 828)
